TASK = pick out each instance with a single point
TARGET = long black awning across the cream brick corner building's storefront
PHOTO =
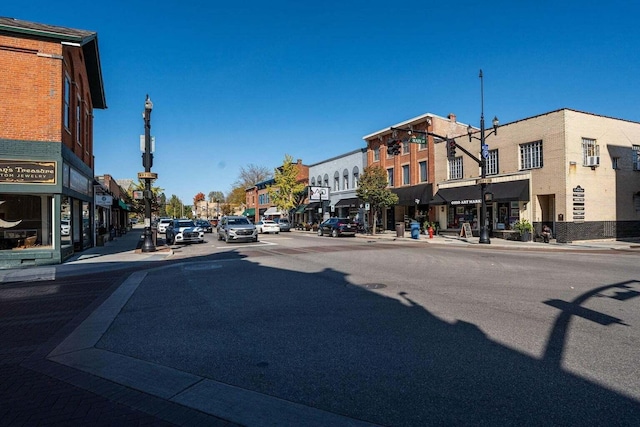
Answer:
(470, 194)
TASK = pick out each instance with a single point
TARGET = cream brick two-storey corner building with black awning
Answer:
(577, 172)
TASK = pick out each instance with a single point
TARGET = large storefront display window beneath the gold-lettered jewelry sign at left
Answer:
(25, 221)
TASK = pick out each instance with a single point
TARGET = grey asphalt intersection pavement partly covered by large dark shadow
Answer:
(300, 329)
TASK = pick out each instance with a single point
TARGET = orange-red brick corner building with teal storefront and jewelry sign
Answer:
(51, 83)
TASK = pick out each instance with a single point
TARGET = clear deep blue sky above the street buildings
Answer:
(246, 82)
